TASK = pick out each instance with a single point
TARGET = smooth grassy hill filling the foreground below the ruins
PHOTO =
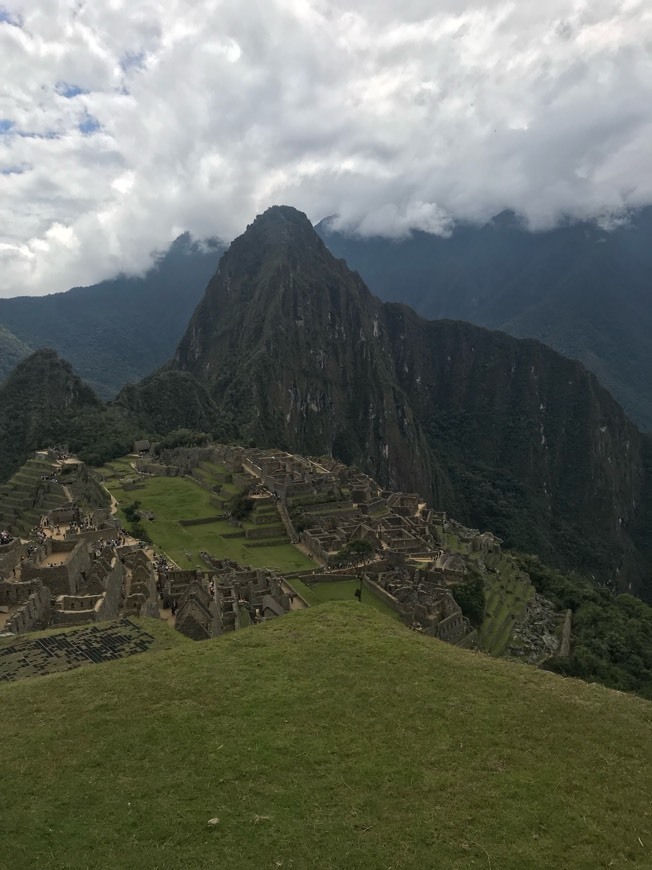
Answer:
(331, 738)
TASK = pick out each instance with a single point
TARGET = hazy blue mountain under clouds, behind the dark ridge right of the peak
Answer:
(583, 290)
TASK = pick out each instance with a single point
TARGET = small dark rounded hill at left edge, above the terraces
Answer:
(43, 402)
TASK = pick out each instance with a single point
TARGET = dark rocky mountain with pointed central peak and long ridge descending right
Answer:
(506, 434)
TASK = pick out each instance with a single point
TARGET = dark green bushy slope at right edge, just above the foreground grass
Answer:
(612, 634)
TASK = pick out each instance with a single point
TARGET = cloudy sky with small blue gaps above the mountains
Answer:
(126, 122)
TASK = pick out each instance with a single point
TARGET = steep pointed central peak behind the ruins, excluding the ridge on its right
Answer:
(297, 351)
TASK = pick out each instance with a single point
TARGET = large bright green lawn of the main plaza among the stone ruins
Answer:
(173, 498)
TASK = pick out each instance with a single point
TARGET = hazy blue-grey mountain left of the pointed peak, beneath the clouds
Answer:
(117, 331)
